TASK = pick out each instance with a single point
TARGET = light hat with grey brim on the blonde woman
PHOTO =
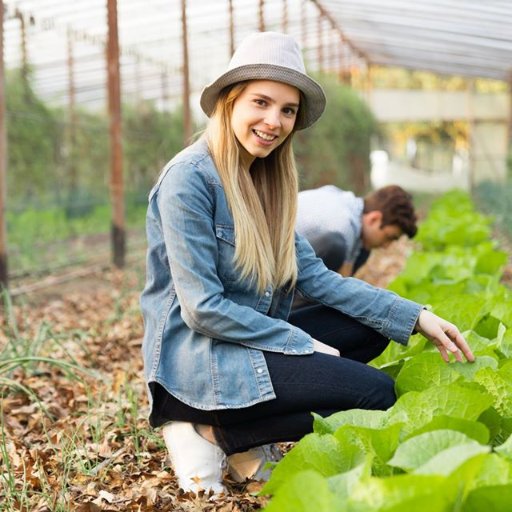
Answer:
(269, 56)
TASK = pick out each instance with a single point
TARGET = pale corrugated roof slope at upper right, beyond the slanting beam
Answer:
(465, 37)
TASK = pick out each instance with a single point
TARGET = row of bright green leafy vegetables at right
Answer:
(446, 444)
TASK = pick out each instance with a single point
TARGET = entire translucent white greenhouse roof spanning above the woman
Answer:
(451, 37)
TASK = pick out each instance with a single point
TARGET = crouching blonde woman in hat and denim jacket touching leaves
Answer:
(227, 370)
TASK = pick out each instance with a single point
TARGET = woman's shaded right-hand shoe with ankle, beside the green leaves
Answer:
(252, 464)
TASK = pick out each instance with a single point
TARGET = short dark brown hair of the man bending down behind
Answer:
(396, 207)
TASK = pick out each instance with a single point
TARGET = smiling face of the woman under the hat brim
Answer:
(263, 116)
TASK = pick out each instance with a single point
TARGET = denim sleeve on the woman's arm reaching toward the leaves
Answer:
(383, 310)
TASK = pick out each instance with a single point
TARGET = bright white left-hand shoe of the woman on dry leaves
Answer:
(197, 463)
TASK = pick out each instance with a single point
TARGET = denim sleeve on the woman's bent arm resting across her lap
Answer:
(186, 205)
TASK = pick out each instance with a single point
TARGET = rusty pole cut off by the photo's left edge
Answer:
(3, 160)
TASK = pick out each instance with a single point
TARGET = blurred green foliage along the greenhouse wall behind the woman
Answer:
(58, 173)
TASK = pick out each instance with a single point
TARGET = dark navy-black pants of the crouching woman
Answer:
(303, 384)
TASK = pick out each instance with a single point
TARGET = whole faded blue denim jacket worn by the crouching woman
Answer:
(206, 328)
